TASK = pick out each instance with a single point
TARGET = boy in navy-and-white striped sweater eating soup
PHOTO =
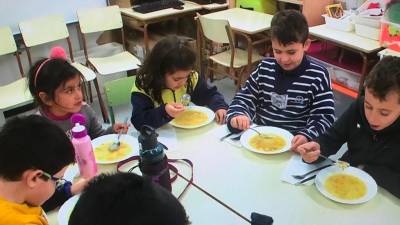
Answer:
(289, 91)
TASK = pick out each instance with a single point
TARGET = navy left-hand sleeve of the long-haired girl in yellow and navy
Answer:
(144, 112)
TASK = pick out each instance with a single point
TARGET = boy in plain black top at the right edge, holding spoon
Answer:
(371, 128)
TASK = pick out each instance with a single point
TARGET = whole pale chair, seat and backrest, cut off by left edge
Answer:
(16, 93)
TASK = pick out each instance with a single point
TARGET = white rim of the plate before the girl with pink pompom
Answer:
(112, 137)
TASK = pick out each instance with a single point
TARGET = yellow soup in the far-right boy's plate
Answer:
(345, 186)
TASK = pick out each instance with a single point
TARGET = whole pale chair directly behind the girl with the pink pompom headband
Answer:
(49, 29)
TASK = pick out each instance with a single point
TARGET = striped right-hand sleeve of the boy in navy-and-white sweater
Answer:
(322, 109)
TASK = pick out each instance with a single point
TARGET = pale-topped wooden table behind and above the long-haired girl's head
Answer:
(144, 19)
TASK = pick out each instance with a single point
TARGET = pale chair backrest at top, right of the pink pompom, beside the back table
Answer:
(99, 19)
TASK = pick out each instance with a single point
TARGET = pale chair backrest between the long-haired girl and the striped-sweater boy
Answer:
(215, 29)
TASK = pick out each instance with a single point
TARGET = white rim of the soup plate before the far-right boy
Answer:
(324, 174)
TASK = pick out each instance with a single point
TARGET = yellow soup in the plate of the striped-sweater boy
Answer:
(267, 142)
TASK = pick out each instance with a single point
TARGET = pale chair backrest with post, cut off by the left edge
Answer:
(7, 46)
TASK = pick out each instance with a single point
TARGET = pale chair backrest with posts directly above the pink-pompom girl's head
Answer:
(44, 30)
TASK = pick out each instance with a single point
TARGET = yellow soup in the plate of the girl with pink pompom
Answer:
(103, 154)
